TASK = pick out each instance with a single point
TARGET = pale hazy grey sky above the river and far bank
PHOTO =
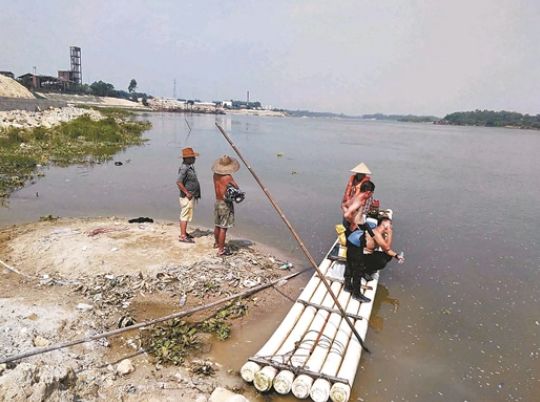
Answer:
(423, 57)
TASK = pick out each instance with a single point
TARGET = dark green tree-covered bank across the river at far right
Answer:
(489, 118)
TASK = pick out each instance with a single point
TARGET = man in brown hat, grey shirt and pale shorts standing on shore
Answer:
(190, 192)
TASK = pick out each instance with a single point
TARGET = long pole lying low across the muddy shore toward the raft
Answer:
(179, 314)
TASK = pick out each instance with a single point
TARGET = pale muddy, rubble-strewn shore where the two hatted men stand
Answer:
(80, 277)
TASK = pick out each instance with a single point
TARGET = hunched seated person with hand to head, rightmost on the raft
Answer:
(373, 259)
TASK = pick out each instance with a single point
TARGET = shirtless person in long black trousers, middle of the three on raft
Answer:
(355, 220)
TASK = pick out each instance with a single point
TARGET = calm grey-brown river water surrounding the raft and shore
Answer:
(459, 321)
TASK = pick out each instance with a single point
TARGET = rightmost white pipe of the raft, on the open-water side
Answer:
(341, 392)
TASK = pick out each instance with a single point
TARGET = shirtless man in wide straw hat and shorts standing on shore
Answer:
(223, 209)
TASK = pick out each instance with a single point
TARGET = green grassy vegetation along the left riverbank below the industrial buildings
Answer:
(83, 140)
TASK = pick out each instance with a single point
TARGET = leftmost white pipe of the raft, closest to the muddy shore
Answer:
(249, 369)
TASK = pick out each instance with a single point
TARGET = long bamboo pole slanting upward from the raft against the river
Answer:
(296, 237)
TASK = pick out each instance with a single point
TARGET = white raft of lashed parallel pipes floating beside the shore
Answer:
(314, 353)
